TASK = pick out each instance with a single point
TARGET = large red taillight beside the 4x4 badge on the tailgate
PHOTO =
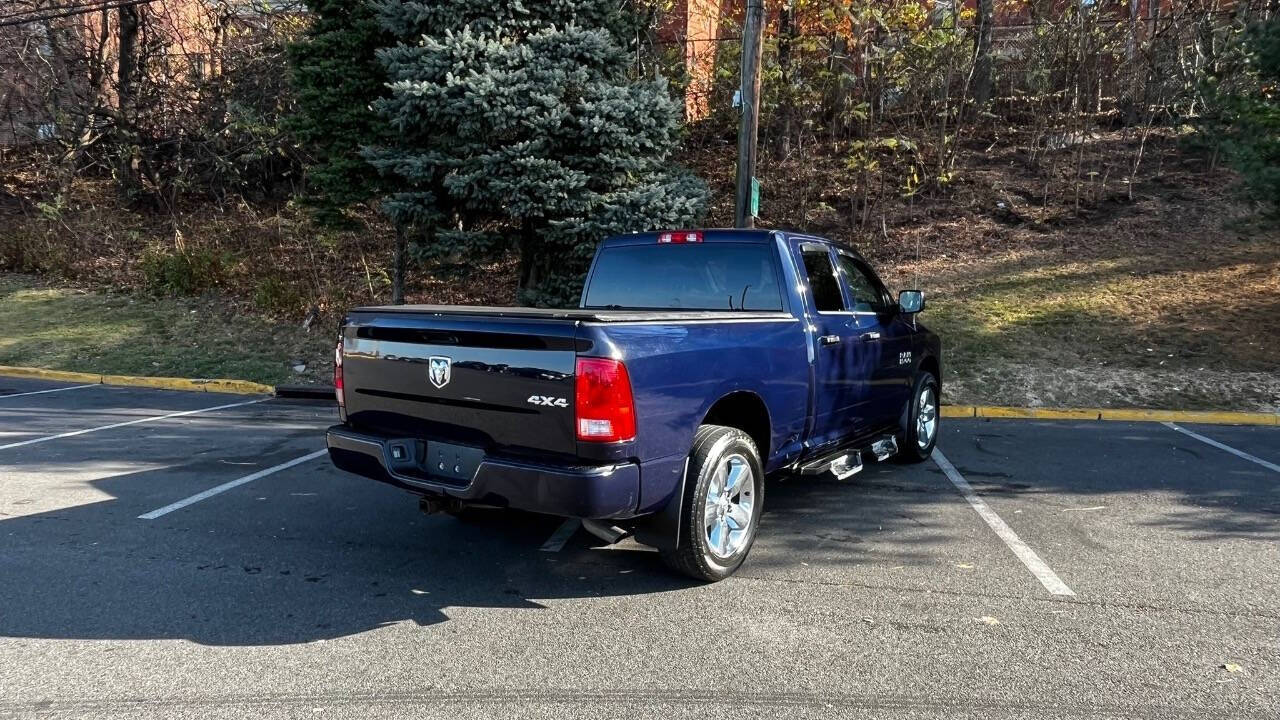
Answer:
(604, 408)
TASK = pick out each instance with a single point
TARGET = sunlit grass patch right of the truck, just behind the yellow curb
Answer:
(1164, 329)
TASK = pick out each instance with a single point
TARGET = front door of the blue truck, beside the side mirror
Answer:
(885, 336)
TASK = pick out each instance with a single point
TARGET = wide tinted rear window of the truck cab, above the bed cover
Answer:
(705, 276)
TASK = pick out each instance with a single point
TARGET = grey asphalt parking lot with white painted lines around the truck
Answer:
(154, 566)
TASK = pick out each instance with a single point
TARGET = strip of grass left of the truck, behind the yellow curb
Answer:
(131, 335)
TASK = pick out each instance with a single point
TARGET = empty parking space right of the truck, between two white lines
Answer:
(1133, 513)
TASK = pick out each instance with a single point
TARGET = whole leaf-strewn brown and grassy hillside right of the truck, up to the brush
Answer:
(1167, 300)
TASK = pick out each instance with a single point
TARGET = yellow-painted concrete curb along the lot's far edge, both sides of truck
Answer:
(1118, 414)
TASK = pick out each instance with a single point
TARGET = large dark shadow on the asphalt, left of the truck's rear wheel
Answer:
(241, 578)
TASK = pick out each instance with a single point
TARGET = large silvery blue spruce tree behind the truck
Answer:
(516, 125)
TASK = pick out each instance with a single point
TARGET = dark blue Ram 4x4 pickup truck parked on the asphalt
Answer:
(698, 366)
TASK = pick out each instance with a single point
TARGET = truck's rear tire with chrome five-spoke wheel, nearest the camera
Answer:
(716, 446)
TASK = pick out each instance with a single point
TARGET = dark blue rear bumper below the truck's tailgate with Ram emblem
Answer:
(591, 491)
